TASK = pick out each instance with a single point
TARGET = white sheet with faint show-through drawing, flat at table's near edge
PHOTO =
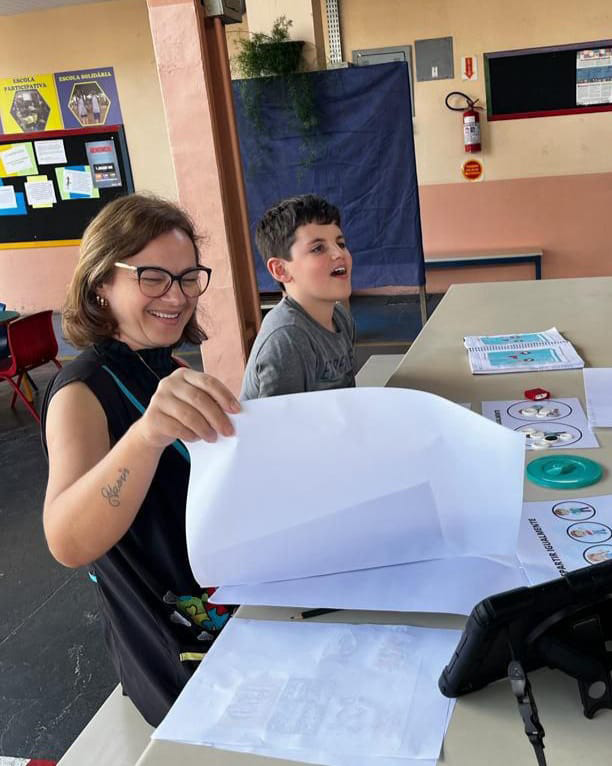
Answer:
(318, 692)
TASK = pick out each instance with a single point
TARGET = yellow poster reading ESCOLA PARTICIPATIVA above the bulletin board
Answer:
(29, 104)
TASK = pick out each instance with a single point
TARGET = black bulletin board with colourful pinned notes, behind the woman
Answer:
(54, 182)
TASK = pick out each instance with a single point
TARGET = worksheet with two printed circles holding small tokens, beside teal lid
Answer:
(546, 424)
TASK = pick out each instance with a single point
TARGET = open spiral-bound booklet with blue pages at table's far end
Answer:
(521, 352)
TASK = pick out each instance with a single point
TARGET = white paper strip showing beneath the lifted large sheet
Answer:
(452, 586)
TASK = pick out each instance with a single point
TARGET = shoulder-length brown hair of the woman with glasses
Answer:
(120, 230)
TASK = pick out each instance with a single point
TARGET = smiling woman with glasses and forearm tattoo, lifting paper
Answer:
(114, 425)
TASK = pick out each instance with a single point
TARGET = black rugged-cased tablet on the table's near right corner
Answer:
(563, 623)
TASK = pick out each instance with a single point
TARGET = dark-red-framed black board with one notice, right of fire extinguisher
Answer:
(541, 82)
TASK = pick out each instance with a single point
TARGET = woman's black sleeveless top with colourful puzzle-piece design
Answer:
(154, 624)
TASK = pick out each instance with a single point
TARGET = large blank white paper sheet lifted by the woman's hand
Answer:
(335, 481)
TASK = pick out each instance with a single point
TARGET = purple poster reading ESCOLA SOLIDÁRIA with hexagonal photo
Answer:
(88, 97)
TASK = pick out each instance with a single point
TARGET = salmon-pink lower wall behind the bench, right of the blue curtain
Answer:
(568, 217)
